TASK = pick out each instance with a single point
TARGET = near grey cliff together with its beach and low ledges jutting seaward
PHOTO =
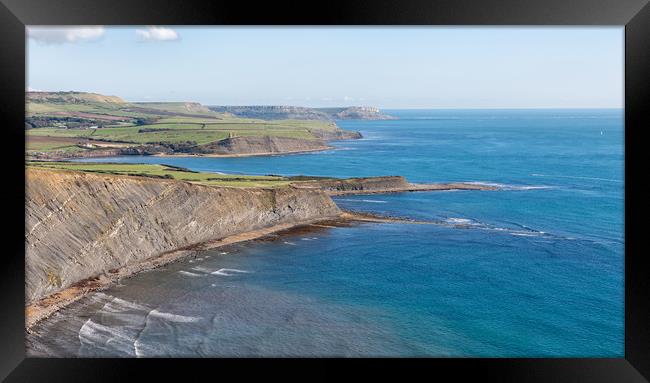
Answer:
(86, 231)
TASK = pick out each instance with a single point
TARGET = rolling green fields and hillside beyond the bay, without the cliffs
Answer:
(65, 122)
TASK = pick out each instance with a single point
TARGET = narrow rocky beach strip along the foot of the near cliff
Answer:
(49, 305)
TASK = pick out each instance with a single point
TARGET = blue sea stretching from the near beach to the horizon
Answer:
(533, 270)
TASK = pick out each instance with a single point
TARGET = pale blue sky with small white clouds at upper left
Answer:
(387, 67)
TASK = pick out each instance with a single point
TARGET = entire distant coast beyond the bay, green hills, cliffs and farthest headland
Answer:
(62, 125)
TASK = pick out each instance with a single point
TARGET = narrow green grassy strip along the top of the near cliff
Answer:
(166, 172)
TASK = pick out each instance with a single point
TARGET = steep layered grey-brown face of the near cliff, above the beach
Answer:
(81, 225)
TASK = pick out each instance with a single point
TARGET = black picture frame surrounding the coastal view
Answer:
(633, 14)
